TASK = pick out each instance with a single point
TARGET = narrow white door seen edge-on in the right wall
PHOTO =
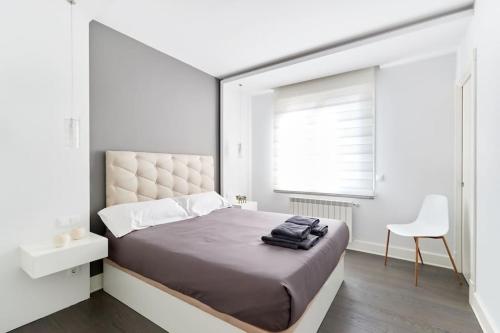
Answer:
(467, 179)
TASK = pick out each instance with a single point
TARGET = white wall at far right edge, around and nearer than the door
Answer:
(484, 35)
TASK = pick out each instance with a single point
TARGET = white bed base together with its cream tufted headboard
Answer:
(124, 173)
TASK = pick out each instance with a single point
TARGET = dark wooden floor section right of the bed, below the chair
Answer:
(376, 299)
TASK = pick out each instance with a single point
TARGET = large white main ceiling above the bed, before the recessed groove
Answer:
(222, 37)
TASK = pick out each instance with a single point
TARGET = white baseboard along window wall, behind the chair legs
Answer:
(430, 258)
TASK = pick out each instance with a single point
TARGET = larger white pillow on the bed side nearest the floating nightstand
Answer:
(124, 218)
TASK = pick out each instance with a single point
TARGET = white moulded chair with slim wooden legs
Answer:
(432, 222)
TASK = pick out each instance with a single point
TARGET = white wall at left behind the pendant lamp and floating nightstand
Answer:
(41, 178)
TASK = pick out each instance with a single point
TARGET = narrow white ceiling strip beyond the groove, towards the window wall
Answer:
(427, 40)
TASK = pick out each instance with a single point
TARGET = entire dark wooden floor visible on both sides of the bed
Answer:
(372, 299)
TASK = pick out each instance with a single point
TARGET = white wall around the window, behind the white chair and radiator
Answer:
(415, 153)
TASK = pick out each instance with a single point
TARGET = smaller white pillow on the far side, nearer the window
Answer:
(202, 203)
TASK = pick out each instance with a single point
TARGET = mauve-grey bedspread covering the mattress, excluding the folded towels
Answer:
(220, 260)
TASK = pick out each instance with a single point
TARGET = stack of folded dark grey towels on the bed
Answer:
(297, 232)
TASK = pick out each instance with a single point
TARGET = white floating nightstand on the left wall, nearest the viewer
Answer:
(41, 259)
